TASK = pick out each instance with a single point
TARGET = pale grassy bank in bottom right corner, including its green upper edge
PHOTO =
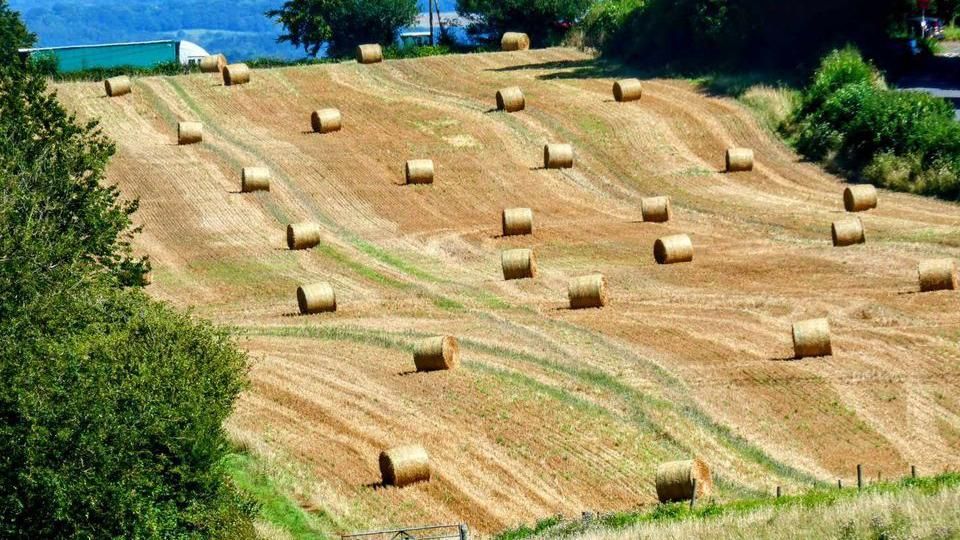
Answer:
(921, 508)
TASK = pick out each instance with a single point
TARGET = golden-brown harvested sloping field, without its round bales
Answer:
(553, 410)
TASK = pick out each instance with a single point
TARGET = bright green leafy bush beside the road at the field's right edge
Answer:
(901, 140)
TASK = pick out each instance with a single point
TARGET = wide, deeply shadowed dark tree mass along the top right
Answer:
(736, 33)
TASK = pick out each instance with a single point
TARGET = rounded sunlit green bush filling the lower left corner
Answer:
(112, 408)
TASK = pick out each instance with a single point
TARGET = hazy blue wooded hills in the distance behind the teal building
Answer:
(237, 28)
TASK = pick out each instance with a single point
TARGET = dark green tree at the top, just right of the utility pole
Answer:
(545, 21)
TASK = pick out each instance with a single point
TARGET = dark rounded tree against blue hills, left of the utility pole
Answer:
(342, 24)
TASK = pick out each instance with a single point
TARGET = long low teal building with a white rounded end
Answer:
(144, 54)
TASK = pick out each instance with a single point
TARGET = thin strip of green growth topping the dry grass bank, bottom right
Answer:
(555, 527)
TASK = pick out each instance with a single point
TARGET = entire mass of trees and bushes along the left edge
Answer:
(111, 405)
